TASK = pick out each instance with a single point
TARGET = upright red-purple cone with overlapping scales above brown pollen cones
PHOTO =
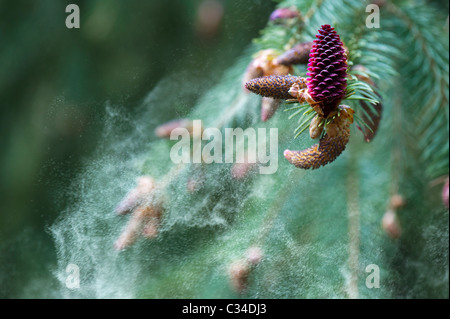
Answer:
(327, 70)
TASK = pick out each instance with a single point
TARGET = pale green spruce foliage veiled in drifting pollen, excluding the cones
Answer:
(320, 229)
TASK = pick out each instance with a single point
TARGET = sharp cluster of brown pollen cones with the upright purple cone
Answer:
(323, 90)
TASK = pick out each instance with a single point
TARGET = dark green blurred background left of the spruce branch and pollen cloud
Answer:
(55, 83)
